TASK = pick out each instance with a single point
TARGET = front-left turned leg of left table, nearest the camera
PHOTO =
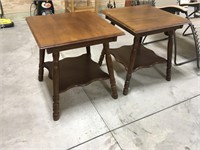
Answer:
(56, 113)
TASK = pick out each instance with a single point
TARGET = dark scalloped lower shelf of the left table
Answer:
(77, 71)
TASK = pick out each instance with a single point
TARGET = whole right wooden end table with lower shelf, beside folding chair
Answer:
(141, 21)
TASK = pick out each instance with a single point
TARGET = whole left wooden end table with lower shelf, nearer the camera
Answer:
(68, 31)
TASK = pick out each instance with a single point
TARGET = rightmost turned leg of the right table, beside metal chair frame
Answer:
(169, 55)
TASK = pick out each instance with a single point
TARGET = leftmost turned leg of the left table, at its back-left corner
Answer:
(41, 64)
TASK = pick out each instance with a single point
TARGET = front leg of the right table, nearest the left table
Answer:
(133, 55)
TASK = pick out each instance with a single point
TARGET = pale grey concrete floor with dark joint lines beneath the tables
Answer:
(155, 115)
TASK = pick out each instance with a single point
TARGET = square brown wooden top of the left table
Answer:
(70, 28)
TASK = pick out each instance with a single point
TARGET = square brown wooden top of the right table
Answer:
(144, 18)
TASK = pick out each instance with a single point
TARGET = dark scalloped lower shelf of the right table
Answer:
(145, 57)
